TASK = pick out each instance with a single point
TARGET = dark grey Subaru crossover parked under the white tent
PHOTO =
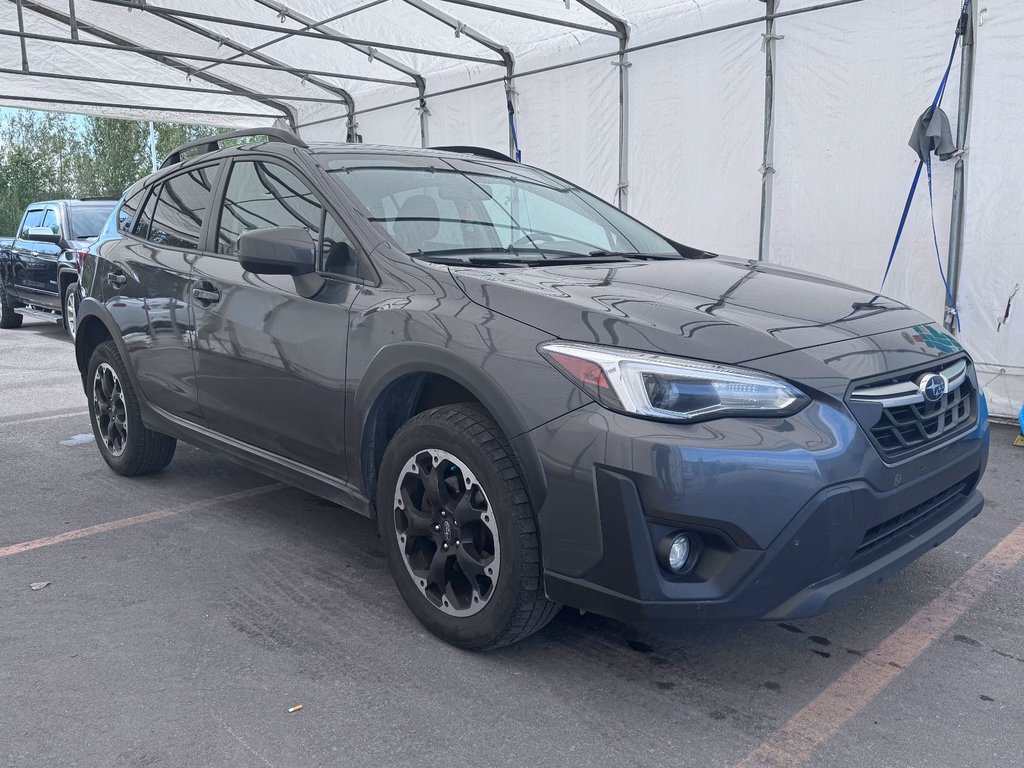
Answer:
(542, 401)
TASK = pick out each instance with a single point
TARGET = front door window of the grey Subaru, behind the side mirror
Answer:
(263, 195)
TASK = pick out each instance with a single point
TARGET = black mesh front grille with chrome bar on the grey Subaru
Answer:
(906, 428)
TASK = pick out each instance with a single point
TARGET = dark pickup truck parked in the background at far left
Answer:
(39, 273)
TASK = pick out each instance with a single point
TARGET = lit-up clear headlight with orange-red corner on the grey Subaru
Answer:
(659, 387)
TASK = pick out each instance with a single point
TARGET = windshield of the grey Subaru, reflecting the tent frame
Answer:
(451, 206)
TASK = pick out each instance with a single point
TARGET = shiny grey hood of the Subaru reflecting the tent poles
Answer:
(719, 310)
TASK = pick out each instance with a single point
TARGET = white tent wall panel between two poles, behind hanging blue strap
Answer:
(841, 181)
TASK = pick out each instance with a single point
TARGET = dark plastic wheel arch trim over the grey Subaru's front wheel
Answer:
(398, 361)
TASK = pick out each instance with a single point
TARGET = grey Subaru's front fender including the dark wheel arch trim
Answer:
(419, 321)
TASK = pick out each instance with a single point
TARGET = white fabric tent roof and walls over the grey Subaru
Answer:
(661, 107)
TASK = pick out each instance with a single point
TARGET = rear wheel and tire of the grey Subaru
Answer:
(125, 443)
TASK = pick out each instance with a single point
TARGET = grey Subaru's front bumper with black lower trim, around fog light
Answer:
(795, 516)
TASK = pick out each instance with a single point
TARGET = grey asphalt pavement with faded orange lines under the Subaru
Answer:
(188, 612)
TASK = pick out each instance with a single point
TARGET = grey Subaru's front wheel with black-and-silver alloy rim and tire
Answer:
(459, 530)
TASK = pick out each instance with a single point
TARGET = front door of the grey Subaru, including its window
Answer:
(271, 364)
